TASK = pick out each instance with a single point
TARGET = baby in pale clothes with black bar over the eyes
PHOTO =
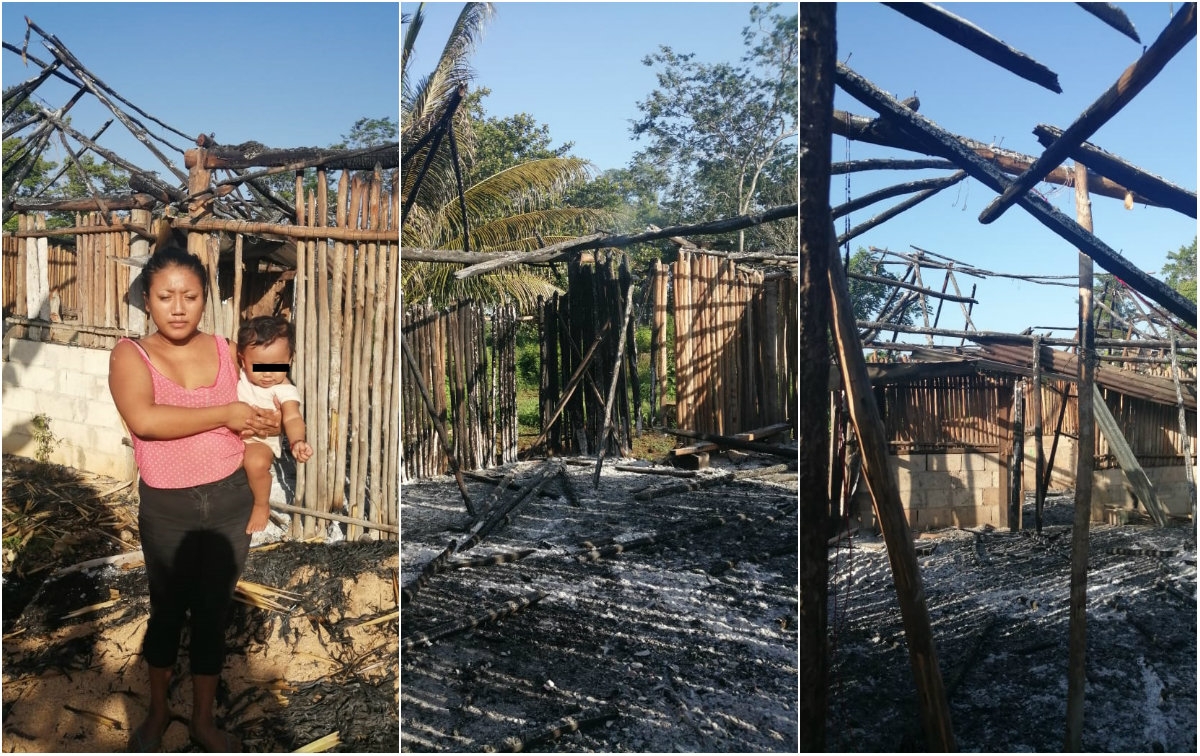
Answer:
(265, 351)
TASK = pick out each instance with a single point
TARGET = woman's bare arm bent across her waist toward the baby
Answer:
(133, 389)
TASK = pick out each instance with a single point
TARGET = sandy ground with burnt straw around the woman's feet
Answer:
(77, 683)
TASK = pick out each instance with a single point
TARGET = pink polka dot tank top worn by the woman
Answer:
(194, 460)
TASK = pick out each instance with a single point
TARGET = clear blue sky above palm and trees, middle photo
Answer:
(578, 67)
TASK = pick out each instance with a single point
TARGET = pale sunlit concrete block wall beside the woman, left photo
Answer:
(69, 385)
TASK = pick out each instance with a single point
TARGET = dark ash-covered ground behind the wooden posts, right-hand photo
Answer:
(999, 604)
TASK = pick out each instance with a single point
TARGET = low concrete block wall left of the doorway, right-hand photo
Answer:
(945, 490)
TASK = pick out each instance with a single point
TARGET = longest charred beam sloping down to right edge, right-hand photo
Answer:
(926, 130)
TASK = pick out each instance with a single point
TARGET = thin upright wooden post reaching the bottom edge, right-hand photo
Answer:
(1077, 659)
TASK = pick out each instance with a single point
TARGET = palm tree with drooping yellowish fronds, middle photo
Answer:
(517, 209)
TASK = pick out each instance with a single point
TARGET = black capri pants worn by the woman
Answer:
(195, 543)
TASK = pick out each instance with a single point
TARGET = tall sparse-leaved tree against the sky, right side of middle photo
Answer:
(725, 134)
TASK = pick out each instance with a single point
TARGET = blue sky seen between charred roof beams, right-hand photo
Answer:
(976, 99)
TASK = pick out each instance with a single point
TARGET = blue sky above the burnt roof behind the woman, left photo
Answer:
(287, 75)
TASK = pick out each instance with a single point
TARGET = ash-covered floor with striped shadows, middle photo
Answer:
(685, 645)
